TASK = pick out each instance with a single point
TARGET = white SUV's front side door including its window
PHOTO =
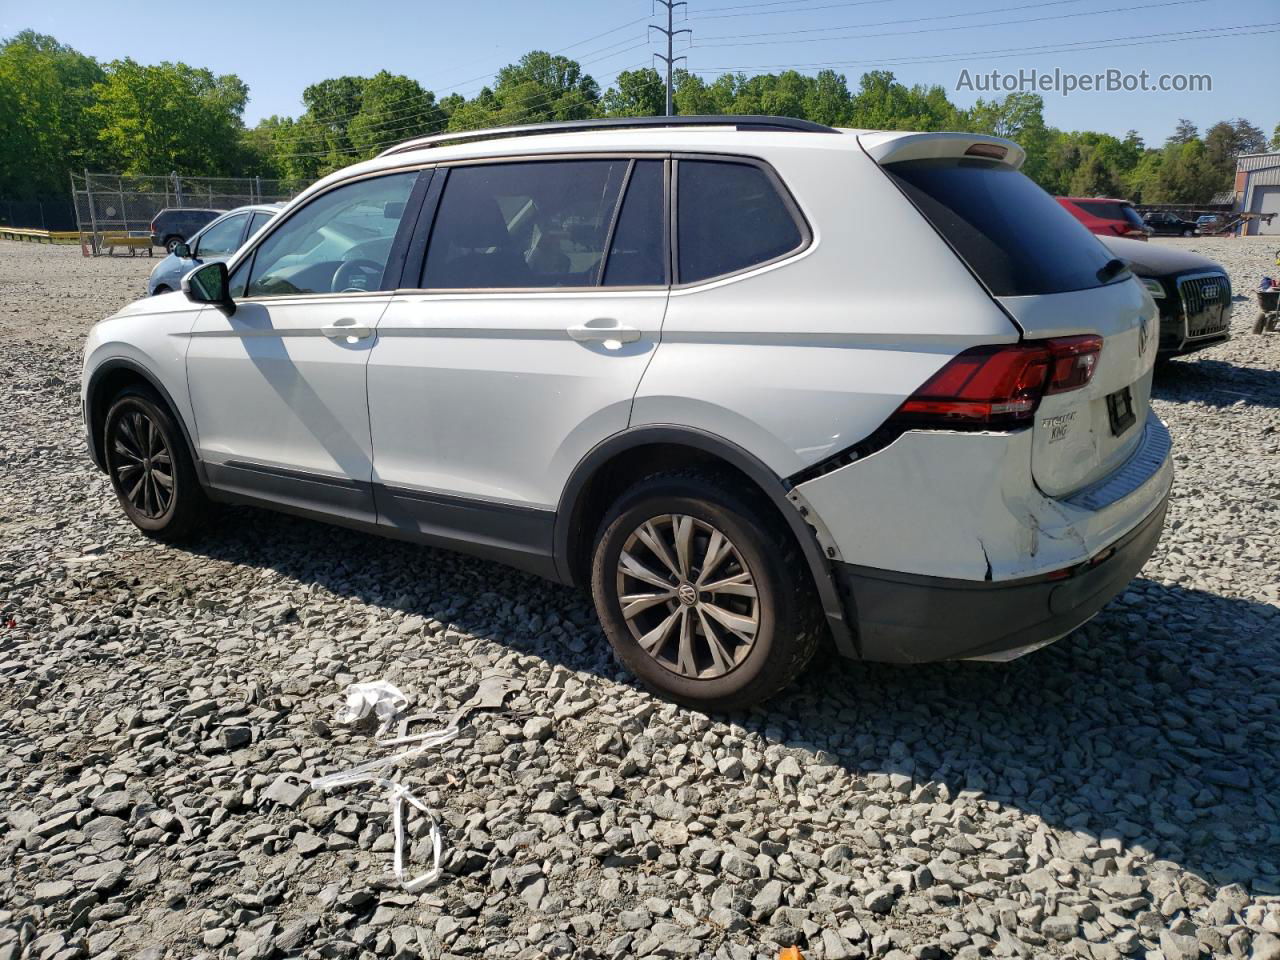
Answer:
(278, 387)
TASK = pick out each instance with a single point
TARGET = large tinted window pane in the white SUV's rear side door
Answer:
(524, 225)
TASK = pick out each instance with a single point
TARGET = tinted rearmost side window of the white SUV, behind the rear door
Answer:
(730, 218)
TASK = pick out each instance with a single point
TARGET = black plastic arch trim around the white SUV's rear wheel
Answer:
(770, 484)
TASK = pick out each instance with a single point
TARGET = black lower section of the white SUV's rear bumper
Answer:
(911, 619)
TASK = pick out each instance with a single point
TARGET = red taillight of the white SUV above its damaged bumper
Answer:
(1002, 386)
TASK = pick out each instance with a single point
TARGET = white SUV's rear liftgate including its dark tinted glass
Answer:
(1052, 276)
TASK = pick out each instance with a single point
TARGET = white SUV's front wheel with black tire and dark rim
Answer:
(140, 438)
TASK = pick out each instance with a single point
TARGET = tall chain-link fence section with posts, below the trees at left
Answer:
(109, 204)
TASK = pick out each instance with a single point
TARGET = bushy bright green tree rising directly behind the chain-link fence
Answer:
(171, 117)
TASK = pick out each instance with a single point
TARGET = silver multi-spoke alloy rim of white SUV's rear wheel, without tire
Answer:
(688, 597)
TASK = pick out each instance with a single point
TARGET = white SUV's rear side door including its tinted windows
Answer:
(519, 345)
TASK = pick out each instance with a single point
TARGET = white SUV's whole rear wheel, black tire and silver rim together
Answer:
(762, 642)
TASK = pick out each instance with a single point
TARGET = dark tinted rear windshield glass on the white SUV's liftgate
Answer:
(1014, 236)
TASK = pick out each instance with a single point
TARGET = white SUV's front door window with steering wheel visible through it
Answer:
(340, 243)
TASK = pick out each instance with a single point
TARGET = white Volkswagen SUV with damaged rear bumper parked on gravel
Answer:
(755, 381)
